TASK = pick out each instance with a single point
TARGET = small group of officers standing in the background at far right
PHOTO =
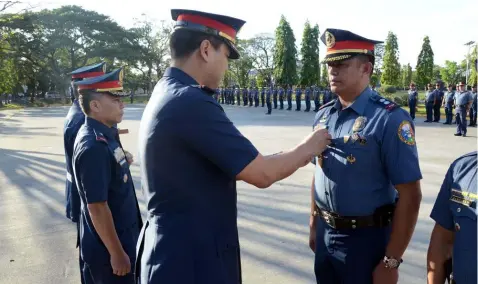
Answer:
(457, 101)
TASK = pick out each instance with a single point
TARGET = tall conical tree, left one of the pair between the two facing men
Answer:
(285, 54)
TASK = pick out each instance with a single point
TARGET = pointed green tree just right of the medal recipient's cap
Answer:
(391, 66)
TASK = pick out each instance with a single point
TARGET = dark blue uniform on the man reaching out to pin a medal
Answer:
(190, 154)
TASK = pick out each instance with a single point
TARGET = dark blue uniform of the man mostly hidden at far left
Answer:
(74, 120)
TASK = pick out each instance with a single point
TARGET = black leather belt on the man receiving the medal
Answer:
(382, 217)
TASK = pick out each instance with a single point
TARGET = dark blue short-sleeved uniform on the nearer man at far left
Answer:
(102, 174)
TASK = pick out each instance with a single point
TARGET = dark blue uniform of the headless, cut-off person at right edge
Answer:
(455, 210)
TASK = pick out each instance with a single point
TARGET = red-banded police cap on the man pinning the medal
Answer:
(223, 27)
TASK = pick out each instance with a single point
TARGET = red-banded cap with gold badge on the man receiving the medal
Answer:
(343, 44)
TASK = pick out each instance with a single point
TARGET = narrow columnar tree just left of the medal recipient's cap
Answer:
(310, 72)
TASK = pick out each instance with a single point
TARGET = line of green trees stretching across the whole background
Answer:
(39, 49)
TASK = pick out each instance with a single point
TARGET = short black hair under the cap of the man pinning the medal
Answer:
(184, 42)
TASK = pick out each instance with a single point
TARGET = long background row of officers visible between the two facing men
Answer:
(275, 97)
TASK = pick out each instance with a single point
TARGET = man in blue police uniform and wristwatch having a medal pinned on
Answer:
(358, 231)
